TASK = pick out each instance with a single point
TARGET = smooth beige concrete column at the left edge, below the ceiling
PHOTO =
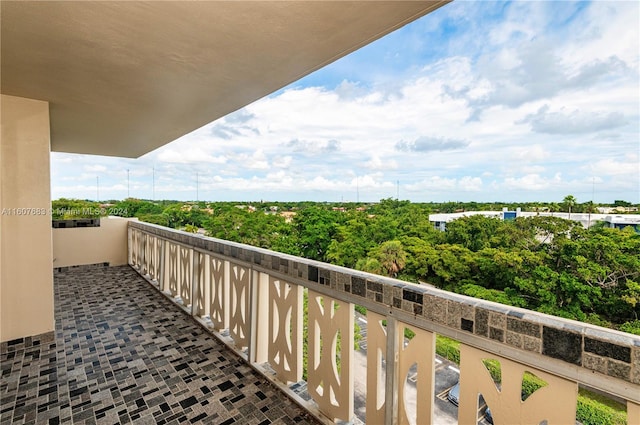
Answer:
(26, 276)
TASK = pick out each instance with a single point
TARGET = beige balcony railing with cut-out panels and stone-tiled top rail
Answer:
(252, 299)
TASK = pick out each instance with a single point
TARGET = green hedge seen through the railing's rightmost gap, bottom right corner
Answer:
(594, 409)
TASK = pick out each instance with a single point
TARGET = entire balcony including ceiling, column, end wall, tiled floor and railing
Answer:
(144, 340)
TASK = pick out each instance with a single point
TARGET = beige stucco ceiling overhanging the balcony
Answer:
(124, 78)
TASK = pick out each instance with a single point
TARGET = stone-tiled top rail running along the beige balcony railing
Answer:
(602, 358)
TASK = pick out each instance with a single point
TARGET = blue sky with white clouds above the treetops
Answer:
(482, 101)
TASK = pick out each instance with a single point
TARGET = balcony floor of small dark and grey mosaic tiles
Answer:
(124, 354)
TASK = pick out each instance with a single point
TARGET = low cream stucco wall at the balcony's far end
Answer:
(91, 245)
